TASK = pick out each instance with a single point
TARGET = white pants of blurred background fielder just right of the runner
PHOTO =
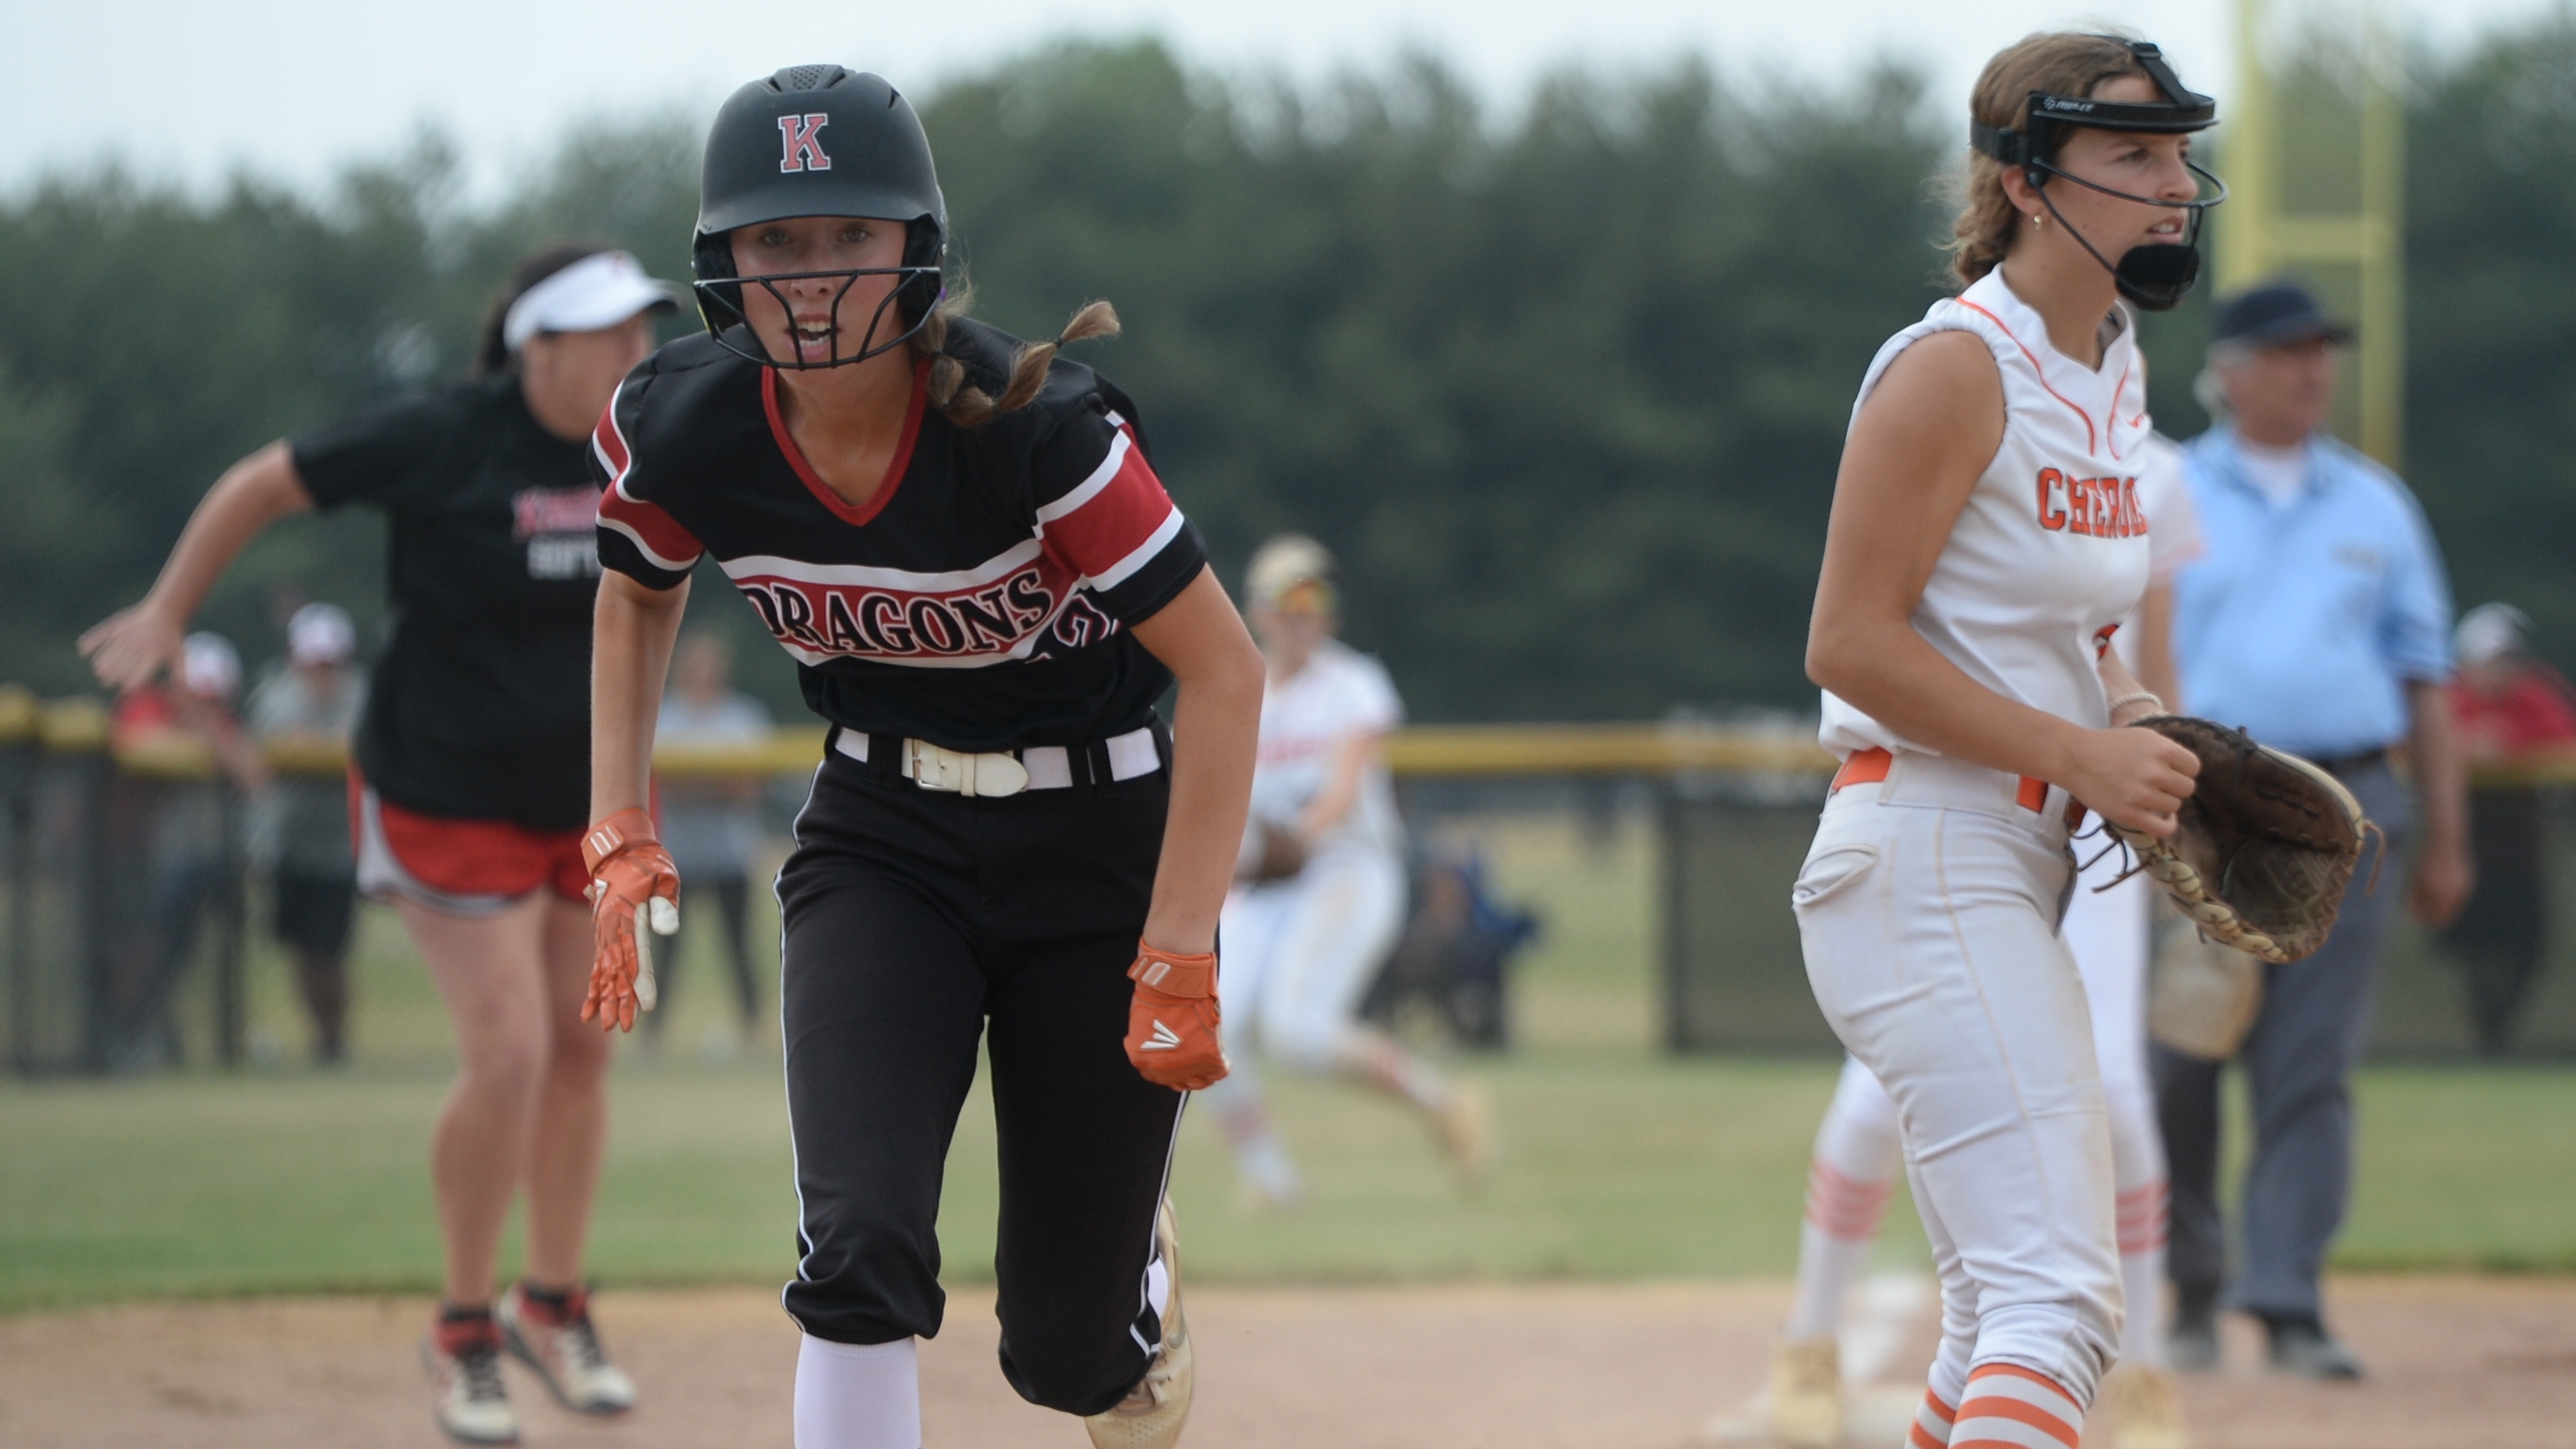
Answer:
(1300, 955)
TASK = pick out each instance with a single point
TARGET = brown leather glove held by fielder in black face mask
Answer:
(2263, 850)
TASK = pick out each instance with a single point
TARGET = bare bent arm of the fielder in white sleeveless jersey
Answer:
(1908, 471)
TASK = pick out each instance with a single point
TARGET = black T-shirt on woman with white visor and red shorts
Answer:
(480, 708)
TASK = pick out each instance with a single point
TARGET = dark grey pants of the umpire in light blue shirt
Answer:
(2299, 1064)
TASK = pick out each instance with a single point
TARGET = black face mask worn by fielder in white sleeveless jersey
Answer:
(2152, 275)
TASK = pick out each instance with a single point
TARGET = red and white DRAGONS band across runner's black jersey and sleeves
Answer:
(1027, 602)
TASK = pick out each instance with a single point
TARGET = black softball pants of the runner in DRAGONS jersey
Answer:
(916, 922)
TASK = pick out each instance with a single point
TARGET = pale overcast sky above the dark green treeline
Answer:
(290, 89)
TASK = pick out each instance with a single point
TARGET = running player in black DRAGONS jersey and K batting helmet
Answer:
(985, 589)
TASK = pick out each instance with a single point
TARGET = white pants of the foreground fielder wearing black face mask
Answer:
(1928, 911)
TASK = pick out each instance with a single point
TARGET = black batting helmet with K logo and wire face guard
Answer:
(818, 141)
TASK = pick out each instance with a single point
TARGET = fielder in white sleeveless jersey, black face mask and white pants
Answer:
(1985, 545)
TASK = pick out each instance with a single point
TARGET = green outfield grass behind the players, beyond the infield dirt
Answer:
(1619, 1162)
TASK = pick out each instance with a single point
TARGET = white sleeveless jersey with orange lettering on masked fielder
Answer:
(2052, 553)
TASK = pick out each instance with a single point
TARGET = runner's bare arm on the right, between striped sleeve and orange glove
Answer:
(1215, 731)
